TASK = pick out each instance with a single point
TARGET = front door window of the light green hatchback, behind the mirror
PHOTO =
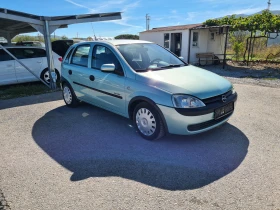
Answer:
(102, 55)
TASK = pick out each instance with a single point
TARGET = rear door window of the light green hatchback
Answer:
(80, 56)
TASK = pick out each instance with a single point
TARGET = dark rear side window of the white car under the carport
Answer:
(26, 53)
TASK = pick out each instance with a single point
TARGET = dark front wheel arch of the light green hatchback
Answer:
(138, 99)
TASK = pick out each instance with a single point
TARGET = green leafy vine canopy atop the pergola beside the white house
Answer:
(265, 22)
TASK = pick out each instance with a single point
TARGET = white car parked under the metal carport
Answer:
(12, 72)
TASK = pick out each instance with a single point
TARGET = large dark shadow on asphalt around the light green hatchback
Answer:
(92, 142)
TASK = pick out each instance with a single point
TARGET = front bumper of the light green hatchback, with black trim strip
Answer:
(186, 122)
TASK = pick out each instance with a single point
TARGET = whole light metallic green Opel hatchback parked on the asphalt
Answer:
(148, 84)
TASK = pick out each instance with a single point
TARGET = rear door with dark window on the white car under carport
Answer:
(32, 58)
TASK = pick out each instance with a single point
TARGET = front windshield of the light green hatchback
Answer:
(148, 56)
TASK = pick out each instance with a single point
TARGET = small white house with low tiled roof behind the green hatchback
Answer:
(188, 40)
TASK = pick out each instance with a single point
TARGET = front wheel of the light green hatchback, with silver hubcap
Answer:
(148, 122)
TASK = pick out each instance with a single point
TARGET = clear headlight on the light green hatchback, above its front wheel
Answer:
(185, 101)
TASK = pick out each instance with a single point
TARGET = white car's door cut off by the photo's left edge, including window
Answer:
(7, 69)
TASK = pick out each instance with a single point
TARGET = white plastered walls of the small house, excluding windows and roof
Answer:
(204, 43)
